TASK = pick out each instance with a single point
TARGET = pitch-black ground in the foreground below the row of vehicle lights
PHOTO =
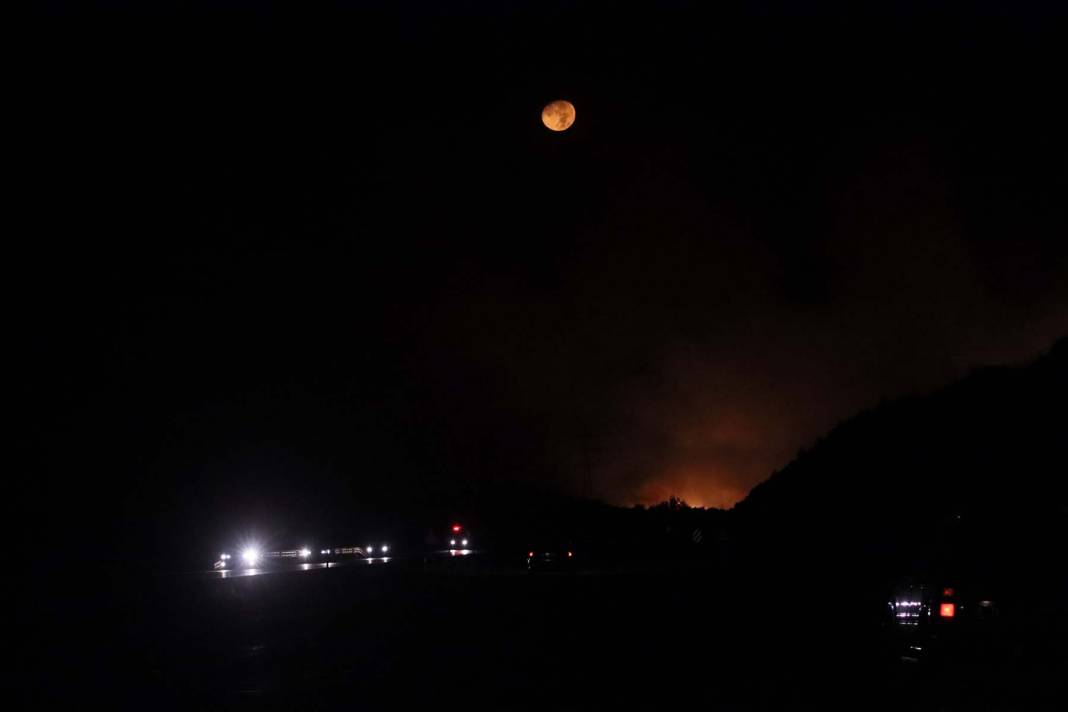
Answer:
(392, 637)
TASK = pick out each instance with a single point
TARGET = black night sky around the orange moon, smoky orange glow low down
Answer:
(276, 260)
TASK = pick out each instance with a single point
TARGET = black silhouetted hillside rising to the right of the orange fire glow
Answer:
(978, 466)
